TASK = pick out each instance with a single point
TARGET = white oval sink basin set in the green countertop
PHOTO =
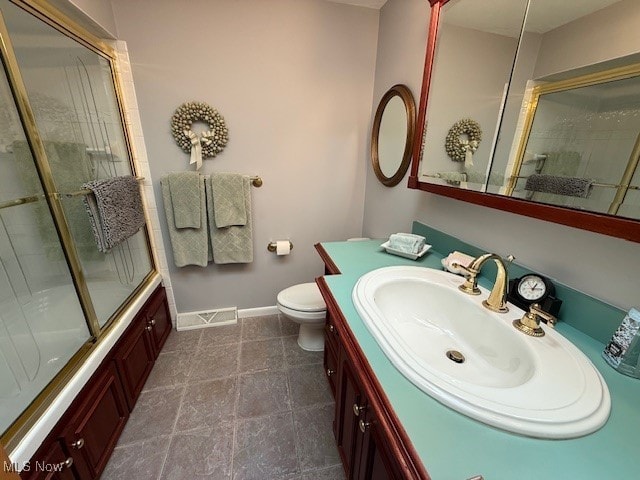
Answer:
(542, 387)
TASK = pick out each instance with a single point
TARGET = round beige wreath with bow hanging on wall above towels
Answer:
(209, 143)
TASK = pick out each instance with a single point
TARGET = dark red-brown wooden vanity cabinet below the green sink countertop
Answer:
(370, 439)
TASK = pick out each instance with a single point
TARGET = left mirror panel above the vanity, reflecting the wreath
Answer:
(473, 59)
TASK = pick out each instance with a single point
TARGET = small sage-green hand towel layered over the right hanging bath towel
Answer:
(228, 199)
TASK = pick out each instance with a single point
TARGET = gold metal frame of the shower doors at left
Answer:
(63, 24)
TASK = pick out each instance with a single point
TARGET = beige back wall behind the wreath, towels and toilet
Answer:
(294, 81)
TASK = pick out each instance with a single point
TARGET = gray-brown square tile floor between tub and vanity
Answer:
(239, 402)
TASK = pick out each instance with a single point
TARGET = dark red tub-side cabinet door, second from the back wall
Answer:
(134, 358)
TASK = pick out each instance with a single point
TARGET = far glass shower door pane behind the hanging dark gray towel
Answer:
(72, 95)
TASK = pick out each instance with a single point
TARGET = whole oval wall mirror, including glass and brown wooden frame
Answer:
(392, 135)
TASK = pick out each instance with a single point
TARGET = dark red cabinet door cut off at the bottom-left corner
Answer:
(52, 463)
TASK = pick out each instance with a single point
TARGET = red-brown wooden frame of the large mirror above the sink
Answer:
(620, 227)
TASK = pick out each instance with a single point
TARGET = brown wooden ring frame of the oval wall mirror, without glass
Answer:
(405, 95)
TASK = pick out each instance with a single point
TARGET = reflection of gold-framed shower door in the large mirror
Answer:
(581, 144)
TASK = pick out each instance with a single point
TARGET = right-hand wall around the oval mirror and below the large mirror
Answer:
(601, 266)
